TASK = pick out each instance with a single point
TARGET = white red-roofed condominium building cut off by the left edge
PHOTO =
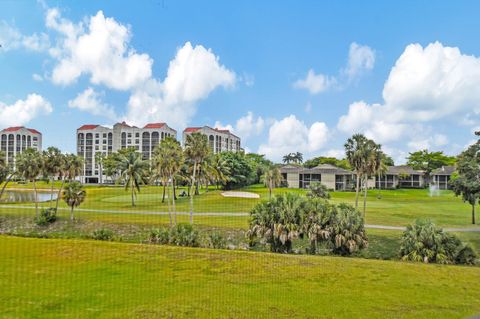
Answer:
(14, 140)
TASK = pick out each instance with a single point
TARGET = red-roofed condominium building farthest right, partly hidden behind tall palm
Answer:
(218, 140)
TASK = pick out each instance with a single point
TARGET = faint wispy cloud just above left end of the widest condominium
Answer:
(90, 101)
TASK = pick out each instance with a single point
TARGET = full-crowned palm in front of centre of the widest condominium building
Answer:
(132, 172)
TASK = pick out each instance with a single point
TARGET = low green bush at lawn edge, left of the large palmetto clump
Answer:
(179, 235)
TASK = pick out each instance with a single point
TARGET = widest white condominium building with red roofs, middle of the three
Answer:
(93, 139)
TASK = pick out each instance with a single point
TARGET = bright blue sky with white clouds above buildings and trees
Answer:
(286, 76)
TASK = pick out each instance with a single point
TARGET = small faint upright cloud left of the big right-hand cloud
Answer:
(361, 58)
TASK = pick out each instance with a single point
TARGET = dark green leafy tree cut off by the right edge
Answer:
(467, 182)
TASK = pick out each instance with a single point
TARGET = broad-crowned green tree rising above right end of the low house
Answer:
(429, 161)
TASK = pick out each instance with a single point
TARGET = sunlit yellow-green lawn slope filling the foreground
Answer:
(87, 279)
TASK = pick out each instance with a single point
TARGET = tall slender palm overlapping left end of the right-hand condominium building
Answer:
(196, 150)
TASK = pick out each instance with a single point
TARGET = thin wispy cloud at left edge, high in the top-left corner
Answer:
(11, 39)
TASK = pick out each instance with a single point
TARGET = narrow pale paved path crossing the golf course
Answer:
(213, 214)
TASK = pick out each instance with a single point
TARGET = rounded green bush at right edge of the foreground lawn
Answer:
(424, 242)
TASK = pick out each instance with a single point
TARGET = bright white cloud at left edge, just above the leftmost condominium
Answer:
(23, 111)
